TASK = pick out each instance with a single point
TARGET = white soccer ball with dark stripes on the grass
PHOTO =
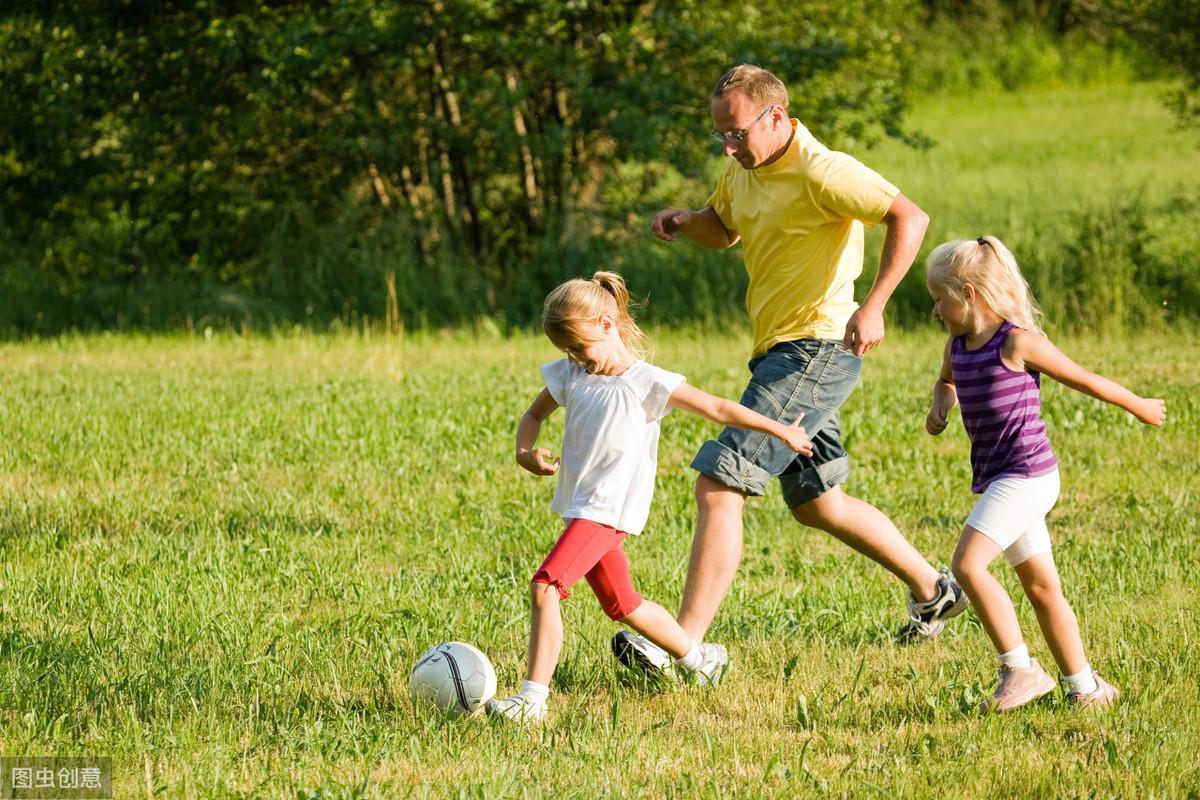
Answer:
(454, 677)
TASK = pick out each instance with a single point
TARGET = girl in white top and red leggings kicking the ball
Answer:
(614, 404)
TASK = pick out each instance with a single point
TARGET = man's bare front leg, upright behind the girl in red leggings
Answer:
(716, 554)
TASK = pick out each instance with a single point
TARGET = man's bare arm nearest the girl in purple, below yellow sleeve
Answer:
(907, 230)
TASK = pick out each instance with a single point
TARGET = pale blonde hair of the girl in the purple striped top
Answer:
(992, 269)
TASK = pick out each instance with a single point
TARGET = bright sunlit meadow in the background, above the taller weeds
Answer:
(1007, 163)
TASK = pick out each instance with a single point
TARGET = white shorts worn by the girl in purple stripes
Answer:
(1013, 512)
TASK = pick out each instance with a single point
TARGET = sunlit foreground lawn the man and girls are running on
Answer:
(221, 558)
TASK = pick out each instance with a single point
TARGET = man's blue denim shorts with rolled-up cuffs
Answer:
(811, 377)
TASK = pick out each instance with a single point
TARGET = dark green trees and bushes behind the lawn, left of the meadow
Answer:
(421, 163)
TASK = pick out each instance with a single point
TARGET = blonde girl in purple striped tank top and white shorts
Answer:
(992, 368)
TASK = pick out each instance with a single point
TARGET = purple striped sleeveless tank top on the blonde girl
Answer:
(1001, 412)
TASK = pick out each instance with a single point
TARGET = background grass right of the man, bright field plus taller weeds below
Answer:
(1094, 189)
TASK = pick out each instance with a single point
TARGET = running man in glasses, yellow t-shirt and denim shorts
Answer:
(800, 210)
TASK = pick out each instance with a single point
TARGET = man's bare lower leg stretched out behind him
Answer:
(873, 534)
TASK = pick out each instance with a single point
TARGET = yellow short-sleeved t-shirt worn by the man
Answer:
(801, 220)
